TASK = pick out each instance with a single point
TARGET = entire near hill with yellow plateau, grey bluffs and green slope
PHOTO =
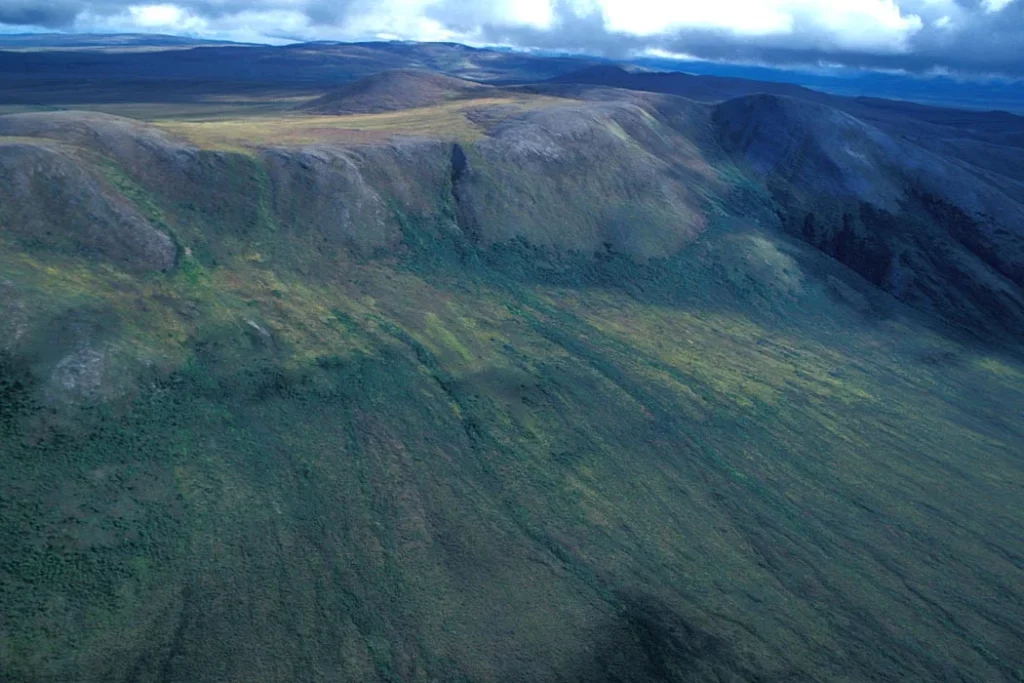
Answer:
(570, 382)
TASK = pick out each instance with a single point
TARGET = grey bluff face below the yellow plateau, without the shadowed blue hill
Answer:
(573, 179)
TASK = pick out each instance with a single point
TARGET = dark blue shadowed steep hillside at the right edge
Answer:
(934, 233)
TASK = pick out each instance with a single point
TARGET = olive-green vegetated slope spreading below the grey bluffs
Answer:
(286, 459)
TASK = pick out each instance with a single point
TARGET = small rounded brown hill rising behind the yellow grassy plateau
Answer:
(395, 91)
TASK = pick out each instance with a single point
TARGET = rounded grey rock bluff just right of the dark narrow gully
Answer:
(576, 180)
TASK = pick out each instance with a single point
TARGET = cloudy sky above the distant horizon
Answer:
(960, 37)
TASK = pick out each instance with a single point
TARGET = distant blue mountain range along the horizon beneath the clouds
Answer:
(323, 62)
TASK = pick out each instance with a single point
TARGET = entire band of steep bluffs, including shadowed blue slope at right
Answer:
(636, 176)
